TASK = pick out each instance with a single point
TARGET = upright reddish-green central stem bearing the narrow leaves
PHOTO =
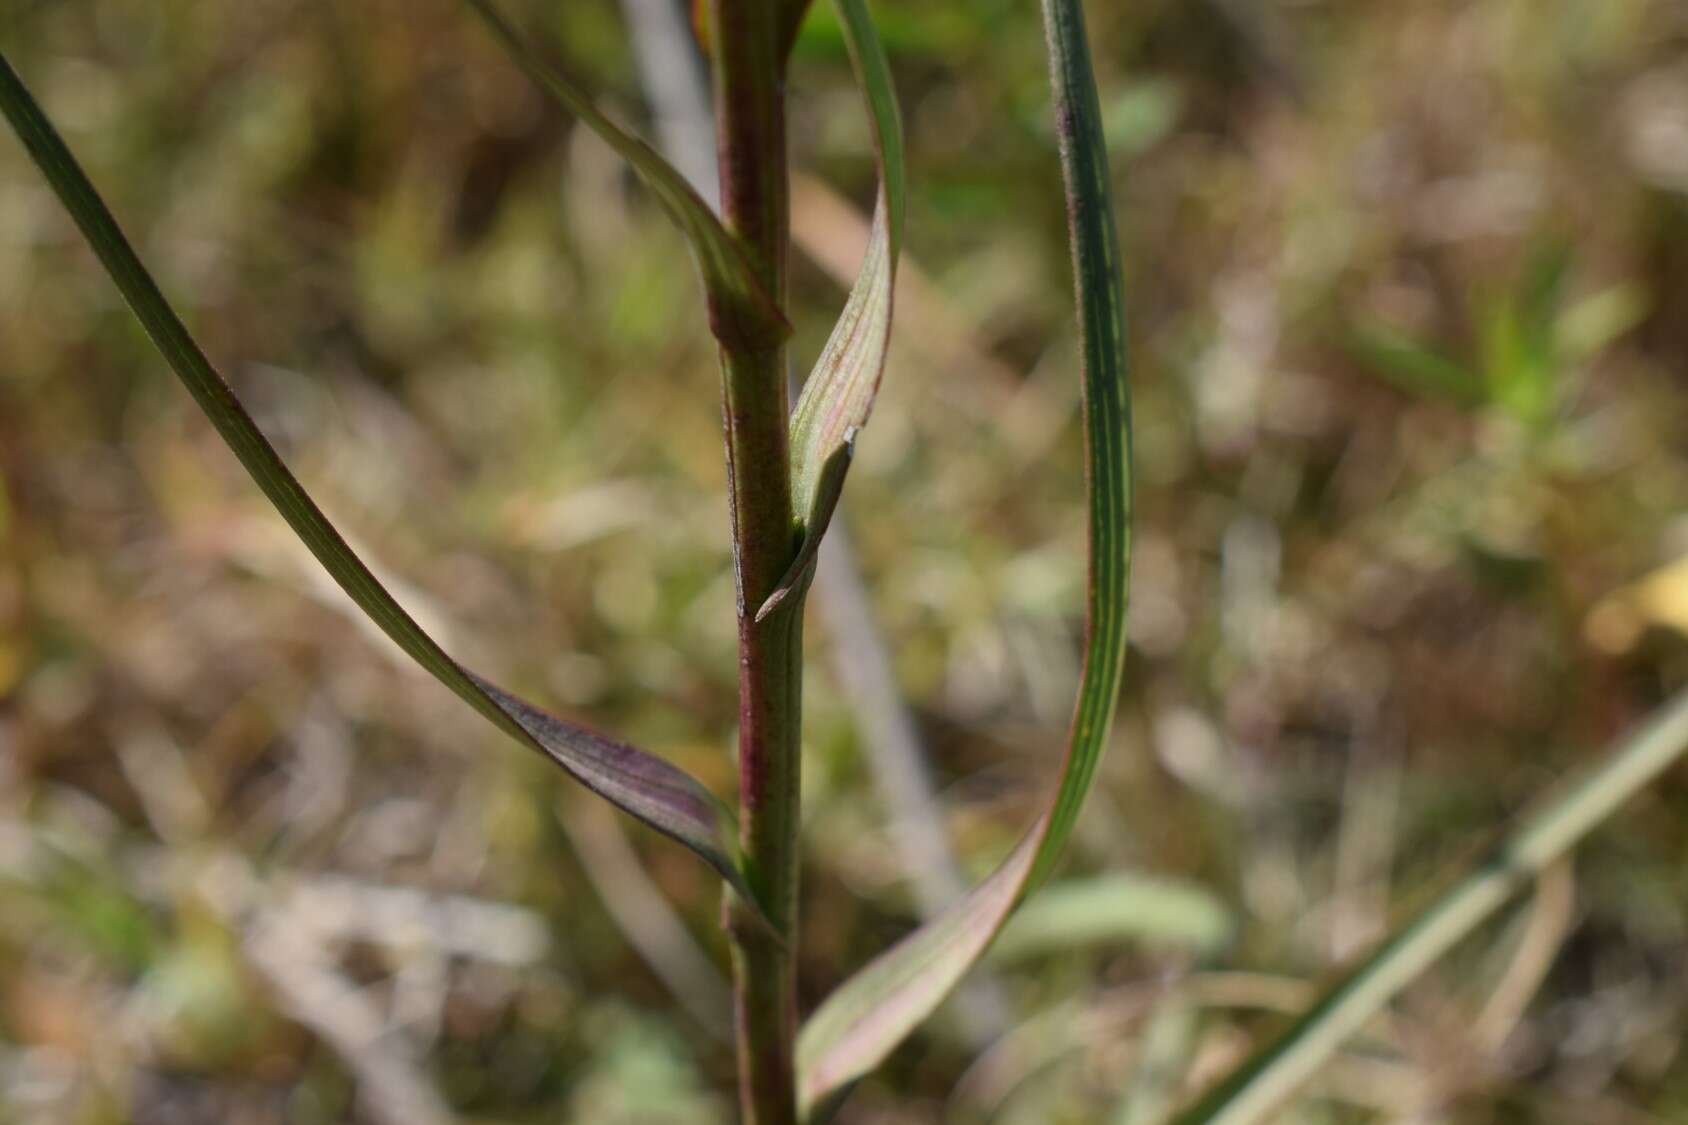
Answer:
(755, 204)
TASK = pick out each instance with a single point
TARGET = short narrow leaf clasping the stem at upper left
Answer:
(742, 312)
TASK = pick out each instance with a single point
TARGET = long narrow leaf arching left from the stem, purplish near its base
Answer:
(649, 788)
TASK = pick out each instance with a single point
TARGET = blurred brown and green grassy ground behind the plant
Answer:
(1410, 293)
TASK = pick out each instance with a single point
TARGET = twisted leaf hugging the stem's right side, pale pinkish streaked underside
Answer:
(845, 381)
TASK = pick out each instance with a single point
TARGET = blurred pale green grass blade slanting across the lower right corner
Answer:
(1262, 1084)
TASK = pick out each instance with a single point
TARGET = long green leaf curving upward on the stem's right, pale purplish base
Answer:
(870, 1014)
